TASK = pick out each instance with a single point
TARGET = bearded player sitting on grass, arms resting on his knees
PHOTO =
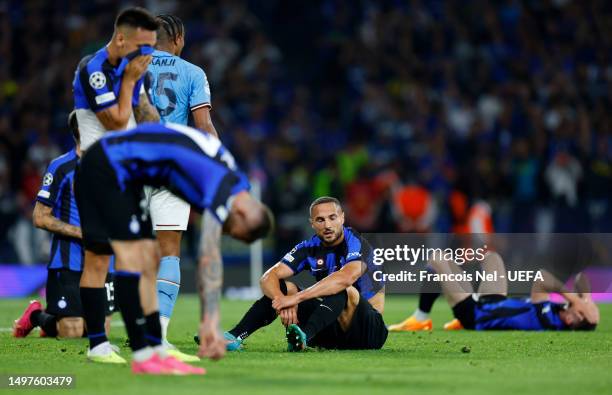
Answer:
(342, 310)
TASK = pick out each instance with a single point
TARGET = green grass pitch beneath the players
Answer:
(410, 363)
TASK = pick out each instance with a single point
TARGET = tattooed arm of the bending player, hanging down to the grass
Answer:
(210, 280)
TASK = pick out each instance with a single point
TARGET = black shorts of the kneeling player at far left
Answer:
(63, 295)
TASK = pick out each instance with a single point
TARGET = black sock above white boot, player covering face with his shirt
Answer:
(94, 313)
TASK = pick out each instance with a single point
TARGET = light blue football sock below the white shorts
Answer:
(168, 284)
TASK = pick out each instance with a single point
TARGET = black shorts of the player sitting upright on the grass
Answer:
(367, 331)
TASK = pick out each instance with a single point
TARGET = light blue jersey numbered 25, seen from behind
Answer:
(177, 87)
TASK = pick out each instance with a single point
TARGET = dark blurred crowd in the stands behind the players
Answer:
(409, 112)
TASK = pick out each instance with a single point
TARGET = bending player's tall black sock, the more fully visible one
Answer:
(128, 299)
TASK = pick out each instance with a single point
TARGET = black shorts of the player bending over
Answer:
(108, 213)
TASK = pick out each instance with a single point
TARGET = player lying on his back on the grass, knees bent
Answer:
(491, 308)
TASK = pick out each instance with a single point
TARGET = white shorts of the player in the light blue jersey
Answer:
(168, 212)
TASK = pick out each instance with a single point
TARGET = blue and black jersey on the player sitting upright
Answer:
(322, 260)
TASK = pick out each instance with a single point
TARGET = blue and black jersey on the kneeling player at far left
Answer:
(57, 192)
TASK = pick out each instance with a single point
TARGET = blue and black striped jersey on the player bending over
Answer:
(193, 165)
